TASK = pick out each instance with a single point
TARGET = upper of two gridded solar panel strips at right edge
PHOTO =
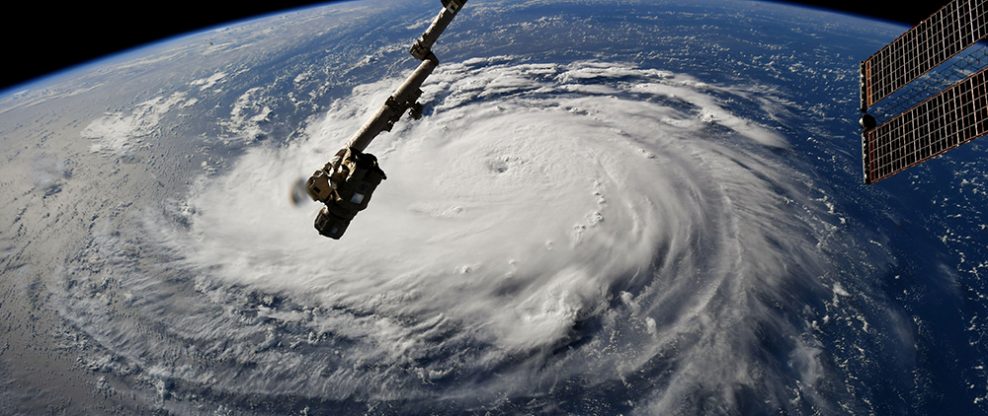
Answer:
(957, 25)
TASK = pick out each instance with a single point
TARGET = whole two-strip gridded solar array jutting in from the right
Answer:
(946, 41)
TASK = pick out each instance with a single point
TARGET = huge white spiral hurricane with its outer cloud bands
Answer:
(610, 236)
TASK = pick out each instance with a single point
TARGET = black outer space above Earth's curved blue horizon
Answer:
(44, 37)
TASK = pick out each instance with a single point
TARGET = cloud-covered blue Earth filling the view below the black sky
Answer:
(608, 208)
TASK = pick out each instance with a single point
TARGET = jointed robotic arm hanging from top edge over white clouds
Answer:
(346, 182)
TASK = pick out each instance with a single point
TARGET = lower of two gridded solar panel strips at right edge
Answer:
(956, 116)
